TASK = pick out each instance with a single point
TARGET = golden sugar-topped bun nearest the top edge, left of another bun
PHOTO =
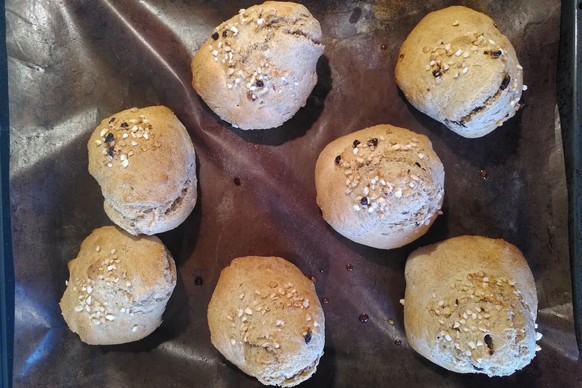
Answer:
(258, 68)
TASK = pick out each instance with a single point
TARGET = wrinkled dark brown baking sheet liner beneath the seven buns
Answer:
(72, 63)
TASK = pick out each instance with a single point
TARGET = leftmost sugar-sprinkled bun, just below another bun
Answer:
(118, 287)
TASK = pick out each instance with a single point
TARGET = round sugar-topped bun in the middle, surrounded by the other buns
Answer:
(382, 186)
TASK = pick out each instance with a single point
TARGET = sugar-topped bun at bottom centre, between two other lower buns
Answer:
(265, 317)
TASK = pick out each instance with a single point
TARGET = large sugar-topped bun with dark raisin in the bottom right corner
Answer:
(471, 306)
